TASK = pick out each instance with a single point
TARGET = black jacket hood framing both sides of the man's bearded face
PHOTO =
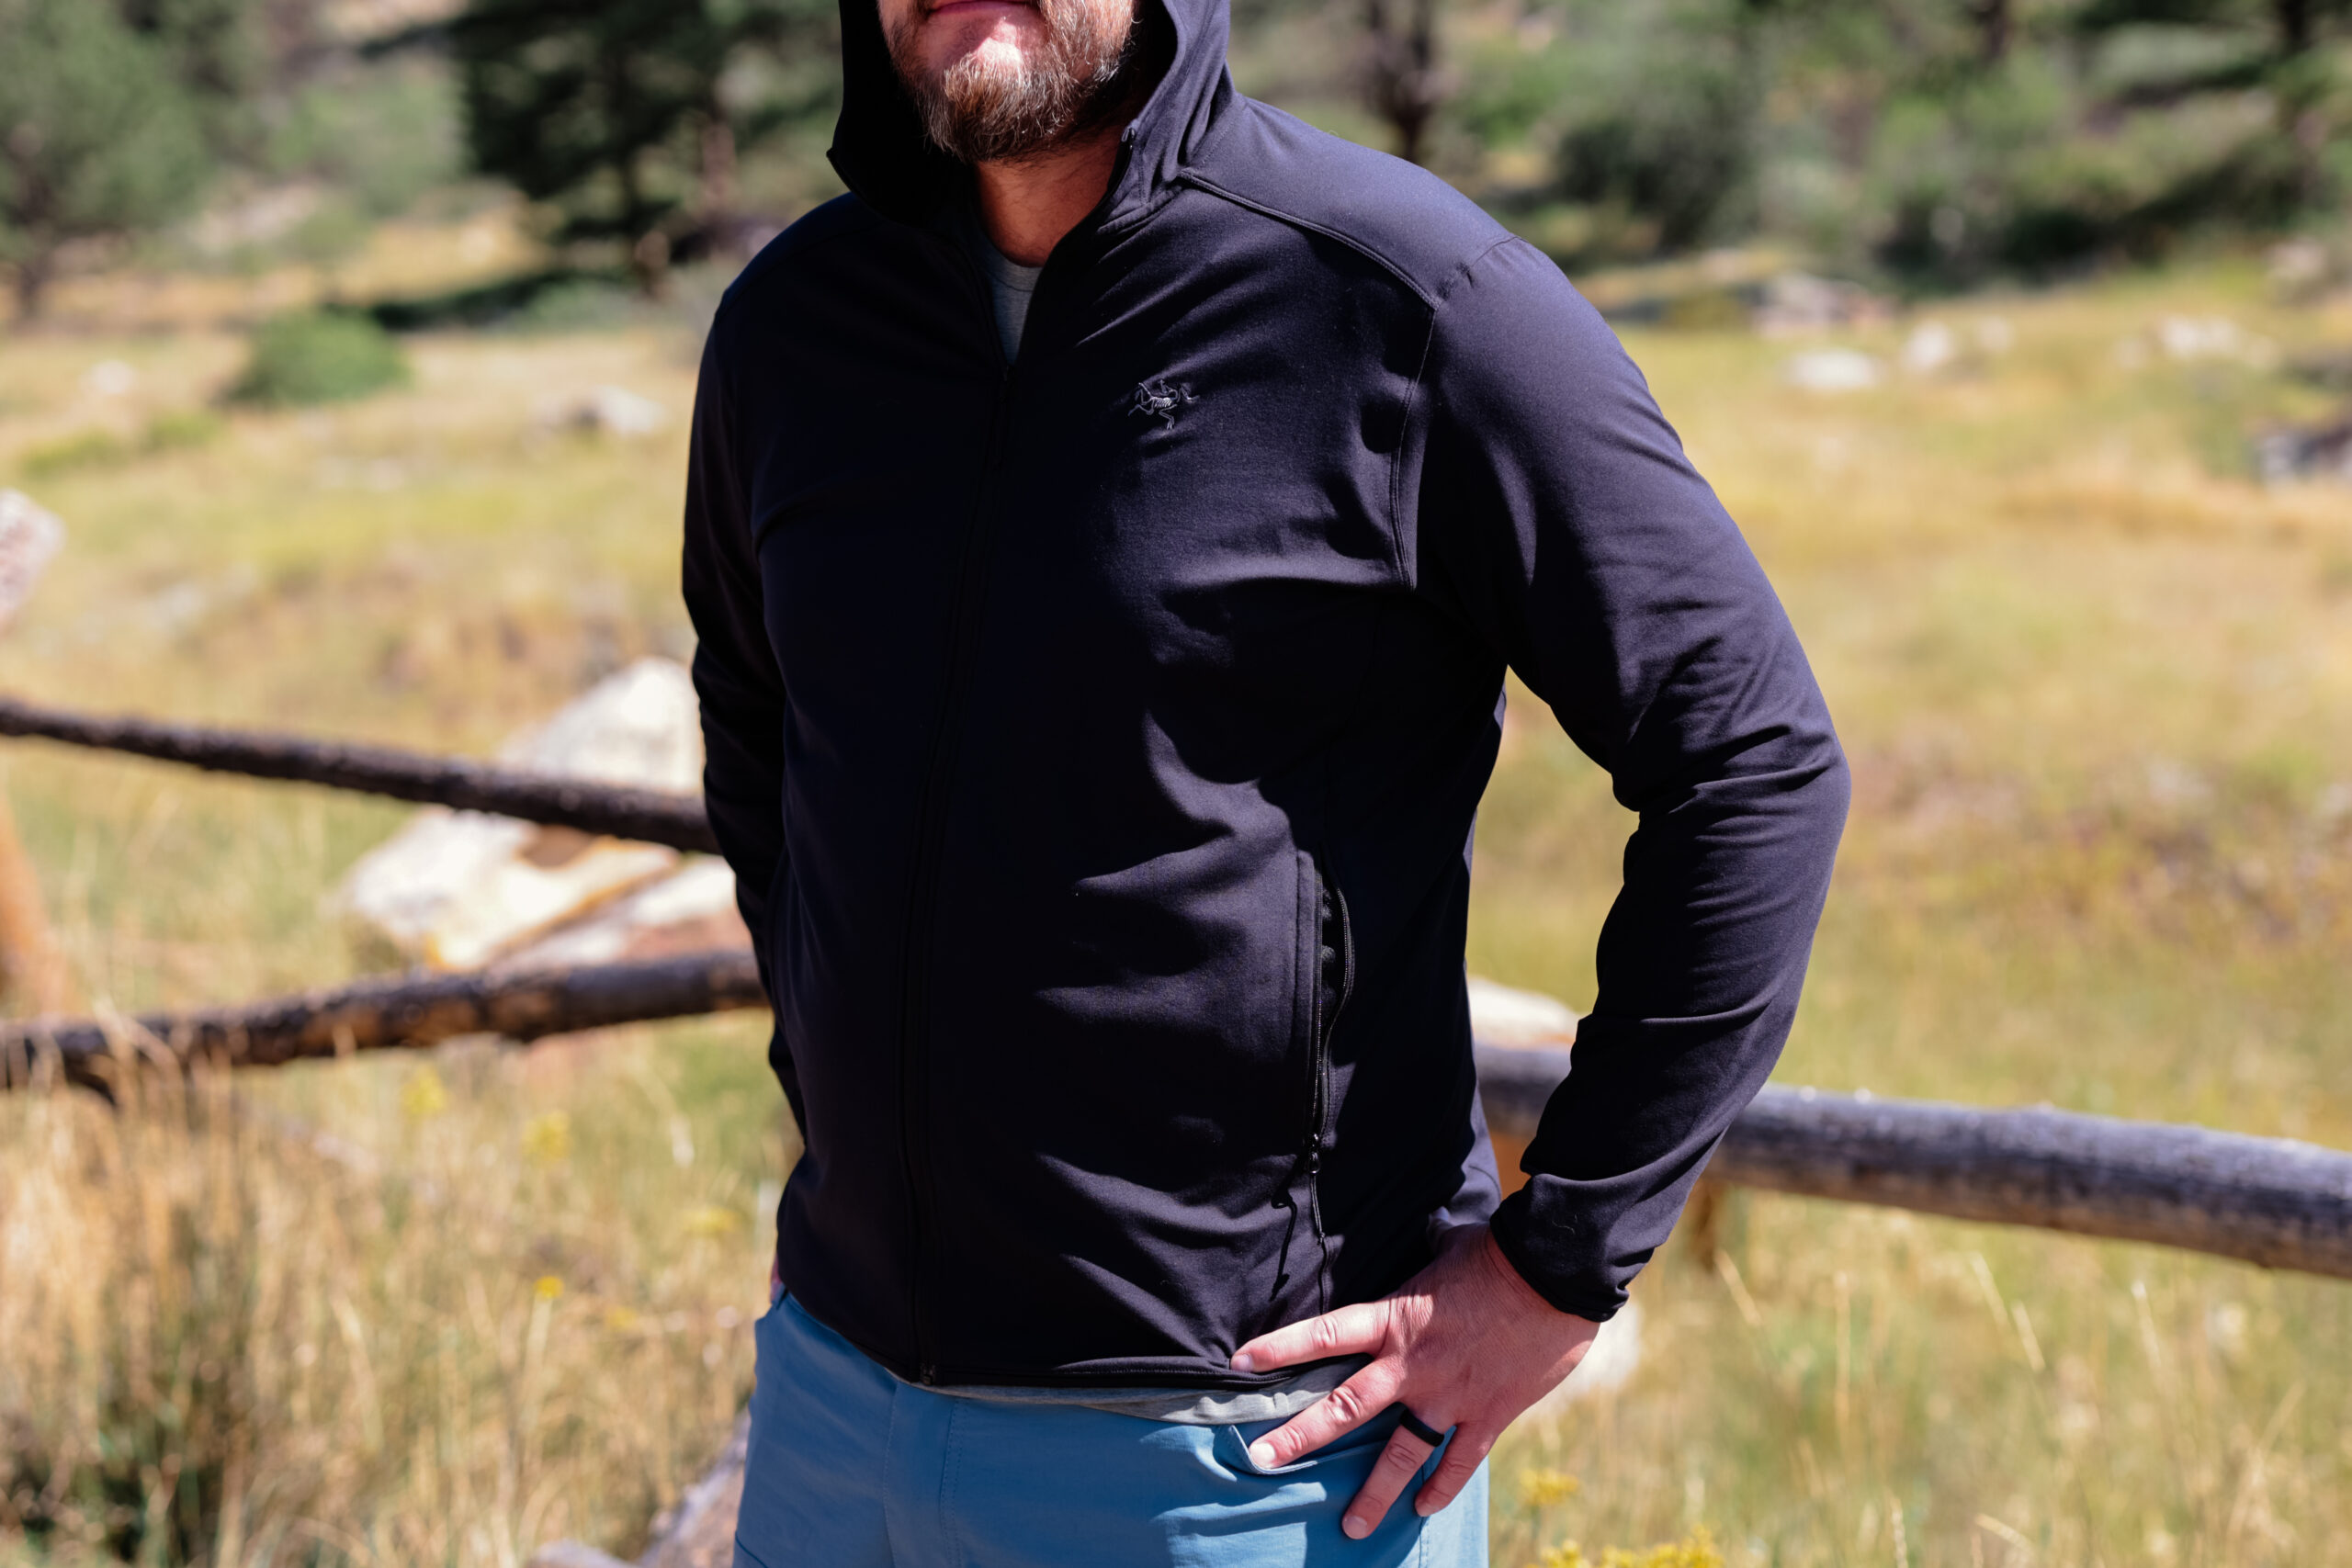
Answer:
(890, 163)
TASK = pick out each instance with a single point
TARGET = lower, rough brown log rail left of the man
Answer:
(385, 1017)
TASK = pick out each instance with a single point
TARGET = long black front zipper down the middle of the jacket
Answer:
(930, 836)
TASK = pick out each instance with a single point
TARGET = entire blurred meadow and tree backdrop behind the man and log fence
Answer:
(352, 344)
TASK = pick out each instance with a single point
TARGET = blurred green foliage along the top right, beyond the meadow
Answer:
(1935, 140)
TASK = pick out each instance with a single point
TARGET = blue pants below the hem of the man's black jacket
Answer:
(853, 1468)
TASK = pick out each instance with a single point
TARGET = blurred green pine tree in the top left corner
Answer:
(95, 138)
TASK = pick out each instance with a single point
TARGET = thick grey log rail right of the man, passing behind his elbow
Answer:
(2261, 1200)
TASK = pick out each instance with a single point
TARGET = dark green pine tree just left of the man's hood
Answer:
(617, 114)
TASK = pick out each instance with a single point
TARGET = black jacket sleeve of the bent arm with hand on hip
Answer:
(1563, 521)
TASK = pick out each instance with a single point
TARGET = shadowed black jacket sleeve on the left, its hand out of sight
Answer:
(735, 674)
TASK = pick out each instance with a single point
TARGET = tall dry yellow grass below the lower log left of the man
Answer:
(493, 1308)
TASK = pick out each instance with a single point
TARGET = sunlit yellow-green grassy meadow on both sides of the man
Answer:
(2094, 683)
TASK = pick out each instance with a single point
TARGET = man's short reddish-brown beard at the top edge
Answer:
(1081, 83)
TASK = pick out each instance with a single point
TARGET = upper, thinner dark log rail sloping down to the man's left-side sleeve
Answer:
(650, 817)
